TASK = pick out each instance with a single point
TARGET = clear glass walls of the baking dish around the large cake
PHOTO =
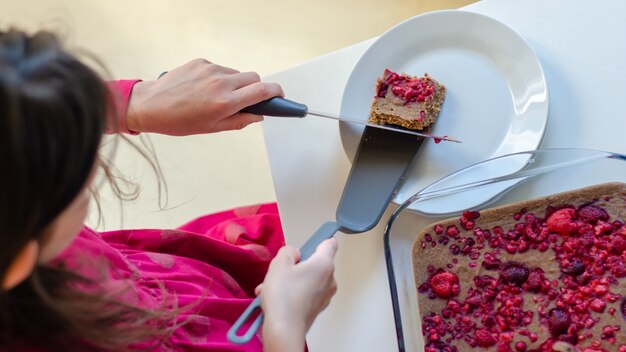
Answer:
(405, 226)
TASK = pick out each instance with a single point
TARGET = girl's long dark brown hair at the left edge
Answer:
(53, 111)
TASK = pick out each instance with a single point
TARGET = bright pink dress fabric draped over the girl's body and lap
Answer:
(215, 261)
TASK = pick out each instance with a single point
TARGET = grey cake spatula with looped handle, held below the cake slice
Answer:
(381, 161)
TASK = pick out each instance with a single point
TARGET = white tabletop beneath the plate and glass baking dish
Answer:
(581, 47)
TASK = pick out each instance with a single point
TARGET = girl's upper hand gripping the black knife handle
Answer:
(198, 97)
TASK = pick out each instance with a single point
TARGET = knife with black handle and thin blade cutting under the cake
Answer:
(281, 107)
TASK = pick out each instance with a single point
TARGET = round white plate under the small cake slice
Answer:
(496, 101)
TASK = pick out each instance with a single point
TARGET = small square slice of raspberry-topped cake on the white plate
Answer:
(407, 101)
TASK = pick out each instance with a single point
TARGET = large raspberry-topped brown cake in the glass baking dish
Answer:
(540, 275)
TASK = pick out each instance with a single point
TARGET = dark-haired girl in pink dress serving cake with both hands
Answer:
(66, 287)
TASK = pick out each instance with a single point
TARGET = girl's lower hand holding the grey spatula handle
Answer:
(293, 294)
